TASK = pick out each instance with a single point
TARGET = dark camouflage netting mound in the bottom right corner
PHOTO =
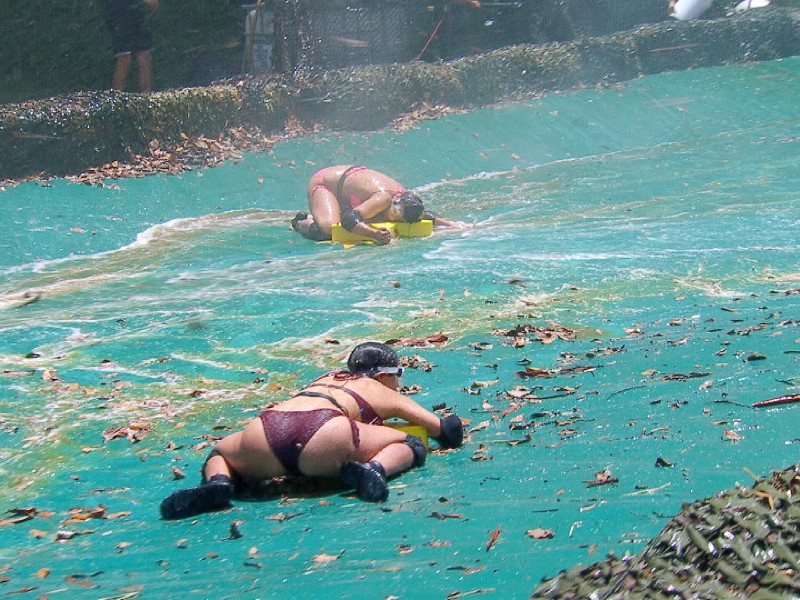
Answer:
(742, 543)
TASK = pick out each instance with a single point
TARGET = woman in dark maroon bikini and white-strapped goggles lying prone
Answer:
(328, 429)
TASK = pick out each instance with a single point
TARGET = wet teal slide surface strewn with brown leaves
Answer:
(658, 220)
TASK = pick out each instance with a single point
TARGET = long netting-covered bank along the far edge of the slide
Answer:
(70, 134)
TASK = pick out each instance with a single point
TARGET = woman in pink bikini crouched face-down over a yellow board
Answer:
(355, 196)
